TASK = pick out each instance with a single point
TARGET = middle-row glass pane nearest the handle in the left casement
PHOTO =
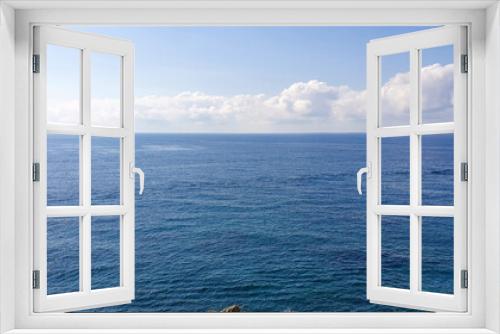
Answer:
(105, 170)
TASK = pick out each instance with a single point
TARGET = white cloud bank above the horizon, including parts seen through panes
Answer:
(302, 107)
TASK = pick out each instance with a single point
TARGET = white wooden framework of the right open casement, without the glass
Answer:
(413, 44)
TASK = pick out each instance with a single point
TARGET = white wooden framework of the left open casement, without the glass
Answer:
(86, 297)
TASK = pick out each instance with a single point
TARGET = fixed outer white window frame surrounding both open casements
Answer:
(483, 315)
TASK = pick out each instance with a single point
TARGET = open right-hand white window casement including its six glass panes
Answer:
(400, 107)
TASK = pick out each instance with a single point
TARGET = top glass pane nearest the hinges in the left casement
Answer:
(63, 85)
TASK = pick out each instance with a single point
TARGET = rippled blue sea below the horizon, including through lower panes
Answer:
(272, 223)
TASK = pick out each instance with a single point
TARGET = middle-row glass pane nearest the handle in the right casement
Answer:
(395, 174)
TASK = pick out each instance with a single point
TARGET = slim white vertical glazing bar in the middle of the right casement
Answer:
(415, 179)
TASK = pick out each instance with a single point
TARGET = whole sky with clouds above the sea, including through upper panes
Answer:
(247, 79)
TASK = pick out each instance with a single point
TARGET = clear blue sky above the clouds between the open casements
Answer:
(235, 60)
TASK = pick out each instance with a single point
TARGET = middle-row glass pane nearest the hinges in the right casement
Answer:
(437, 170)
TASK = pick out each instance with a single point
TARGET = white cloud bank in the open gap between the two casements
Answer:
(303, 106)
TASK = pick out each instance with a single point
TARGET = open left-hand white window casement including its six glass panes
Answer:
(76, 121)
